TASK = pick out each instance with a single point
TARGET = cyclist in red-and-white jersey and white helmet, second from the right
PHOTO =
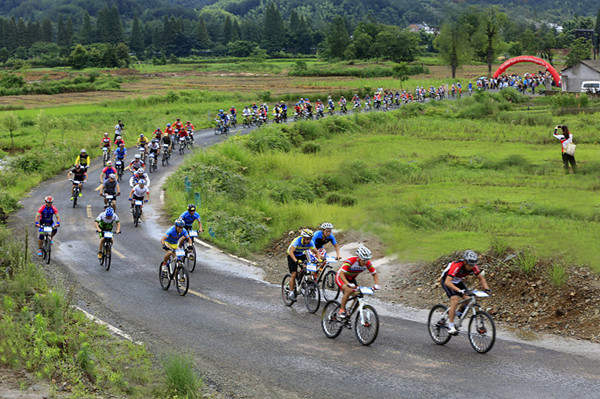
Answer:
(345, 278)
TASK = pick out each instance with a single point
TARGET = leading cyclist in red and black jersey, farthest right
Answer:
(454, 286)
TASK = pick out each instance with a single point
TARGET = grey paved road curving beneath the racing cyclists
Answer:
(249, 345)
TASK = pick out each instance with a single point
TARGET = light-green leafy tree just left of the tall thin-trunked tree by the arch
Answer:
(452, 43)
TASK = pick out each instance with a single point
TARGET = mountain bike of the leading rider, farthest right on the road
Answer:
(482, 330)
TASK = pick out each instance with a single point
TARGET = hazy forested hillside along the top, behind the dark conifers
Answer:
(394, 12)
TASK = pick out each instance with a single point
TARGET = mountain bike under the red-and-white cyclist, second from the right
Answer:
(366, 322)
